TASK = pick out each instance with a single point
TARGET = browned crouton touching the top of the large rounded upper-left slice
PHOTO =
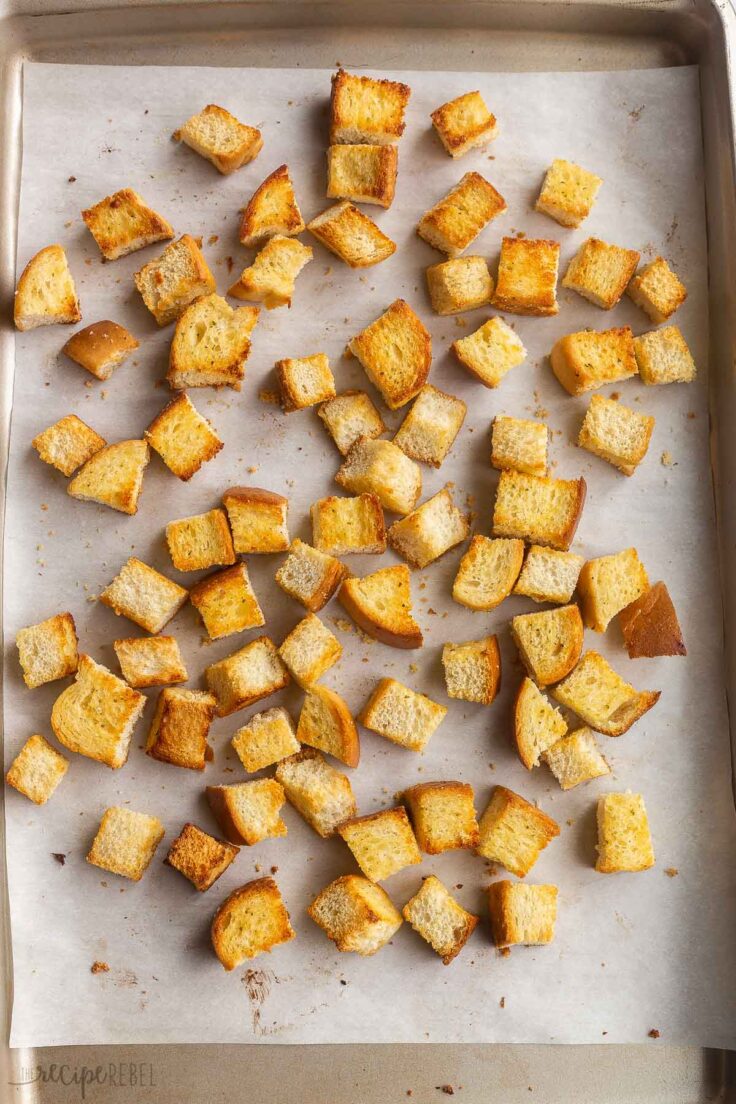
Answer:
(175, 280)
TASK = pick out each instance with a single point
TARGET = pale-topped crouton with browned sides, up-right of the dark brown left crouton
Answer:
(251, 674)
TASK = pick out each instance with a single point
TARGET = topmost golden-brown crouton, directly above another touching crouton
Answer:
(365, 110)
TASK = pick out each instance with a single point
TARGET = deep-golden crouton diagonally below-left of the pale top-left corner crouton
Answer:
(123, 224)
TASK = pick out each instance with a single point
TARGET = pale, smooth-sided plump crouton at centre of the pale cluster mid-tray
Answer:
(381, 469)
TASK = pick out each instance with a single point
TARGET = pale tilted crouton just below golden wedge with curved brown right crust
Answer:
(318, 791)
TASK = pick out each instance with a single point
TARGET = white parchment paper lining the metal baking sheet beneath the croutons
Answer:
(634, 953)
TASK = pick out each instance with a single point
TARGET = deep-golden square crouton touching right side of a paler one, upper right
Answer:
(527, 283)
